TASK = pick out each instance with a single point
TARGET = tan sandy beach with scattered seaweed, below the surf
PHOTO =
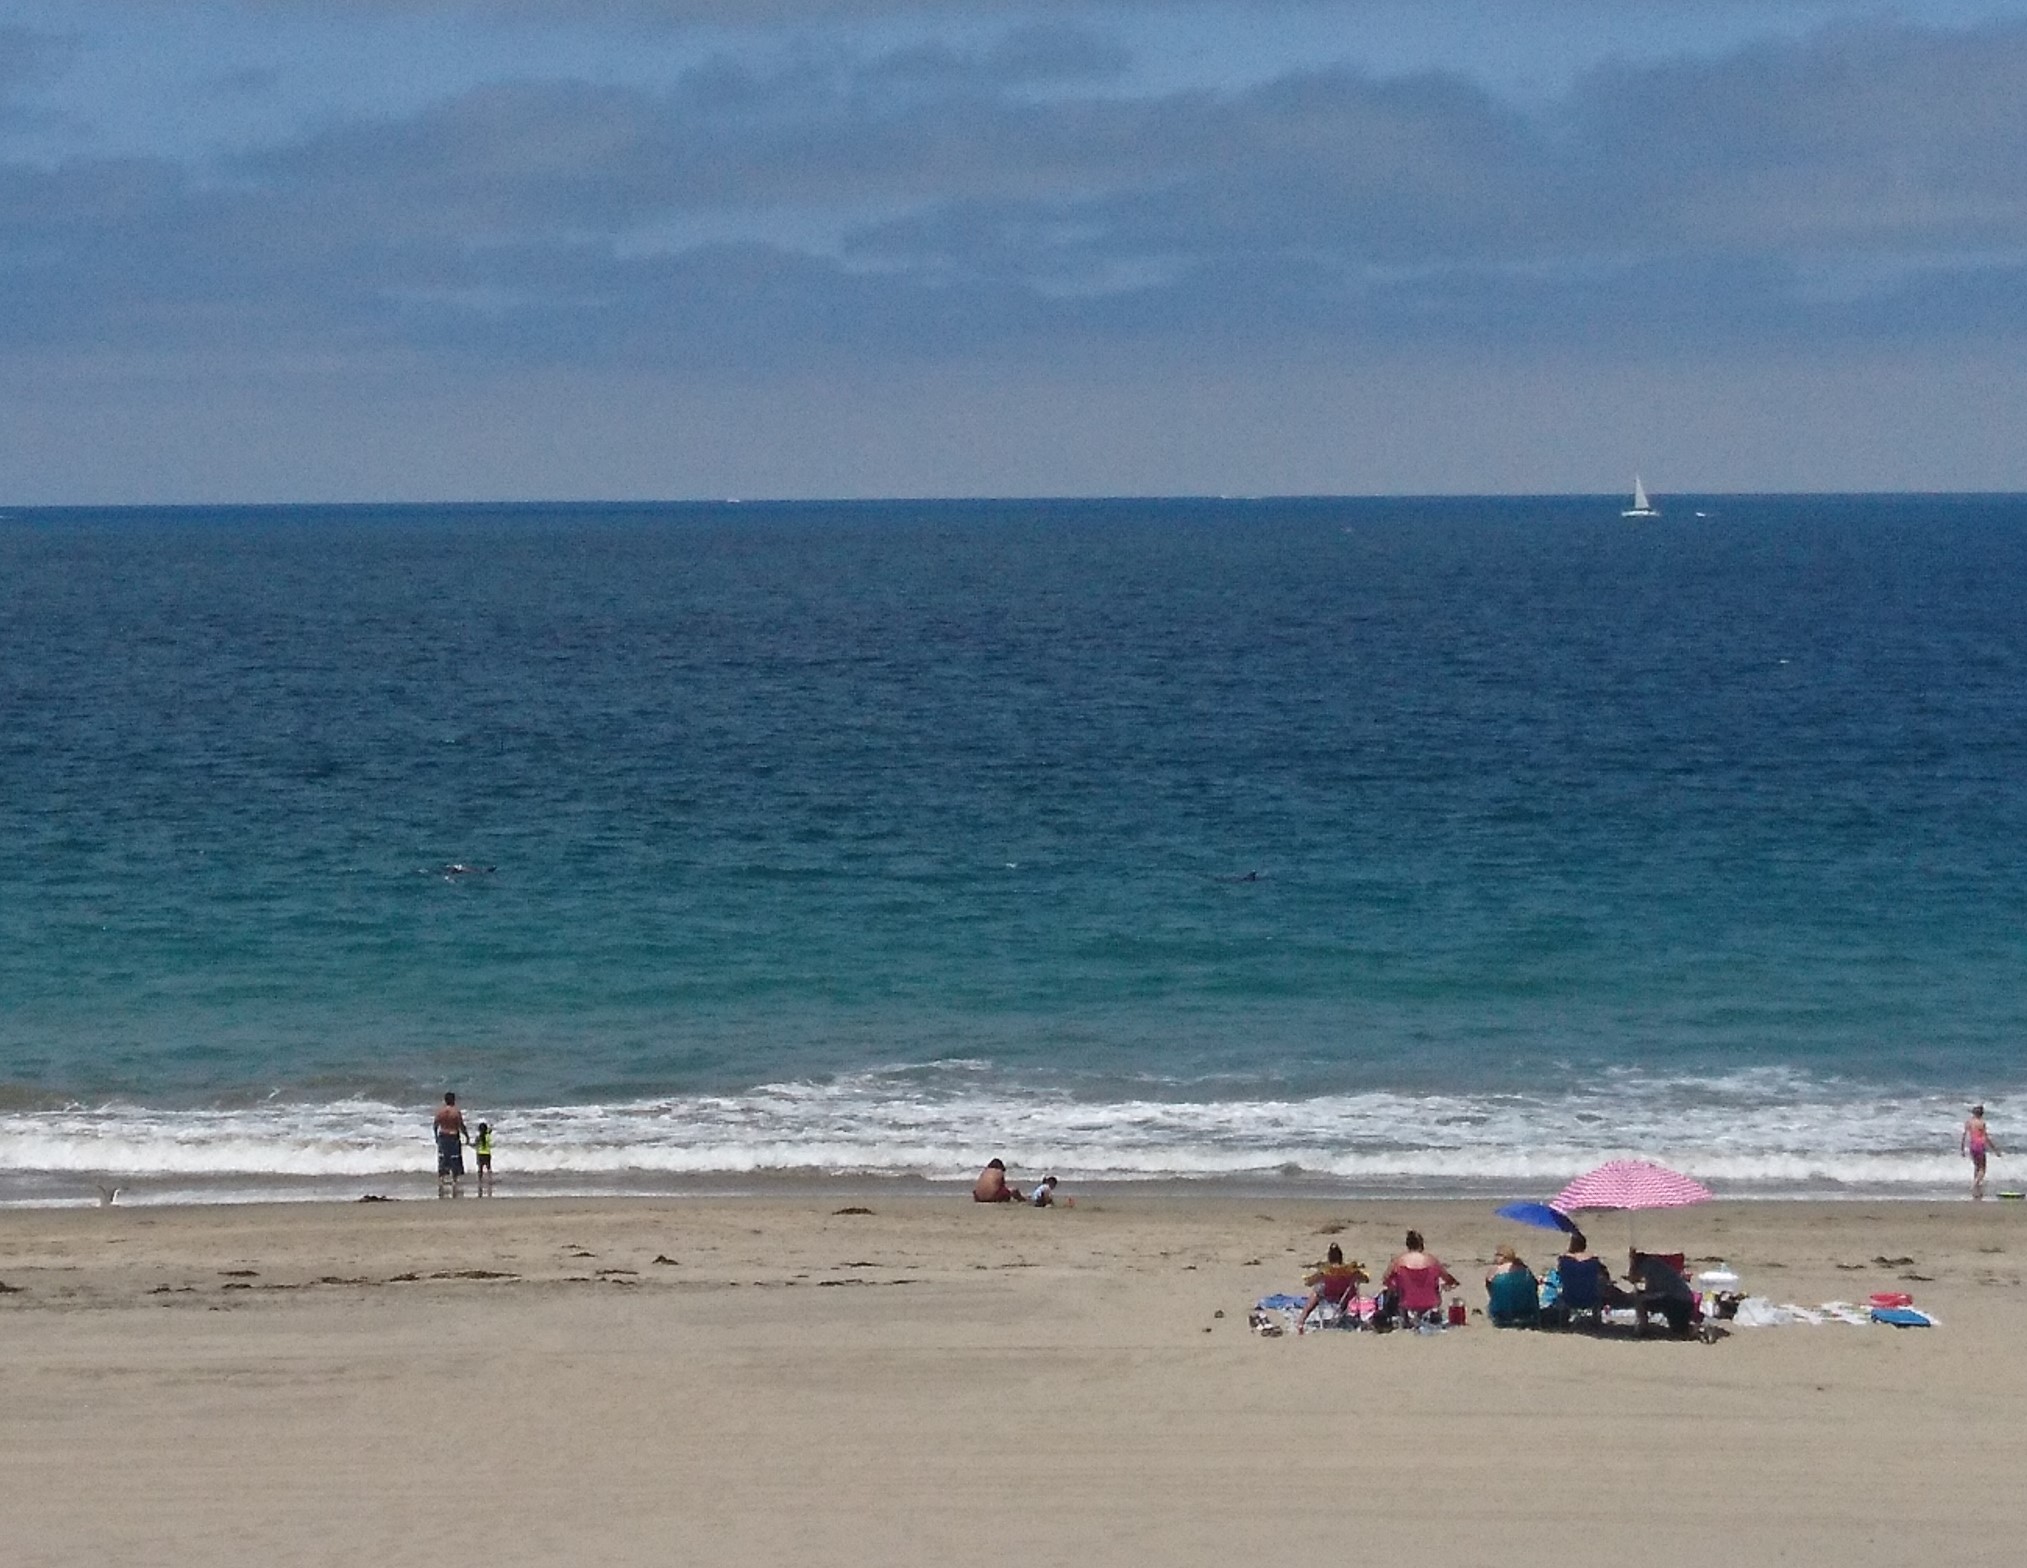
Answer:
(909, 1379)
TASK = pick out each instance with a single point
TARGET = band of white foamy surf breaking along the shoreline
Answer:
(1760, 1131)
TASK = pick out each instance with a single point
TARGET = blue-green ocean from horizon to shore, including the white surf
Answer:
(1359, 846)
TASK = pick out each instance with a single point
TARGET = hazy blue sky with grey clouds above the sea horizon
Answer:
(536, 250)
